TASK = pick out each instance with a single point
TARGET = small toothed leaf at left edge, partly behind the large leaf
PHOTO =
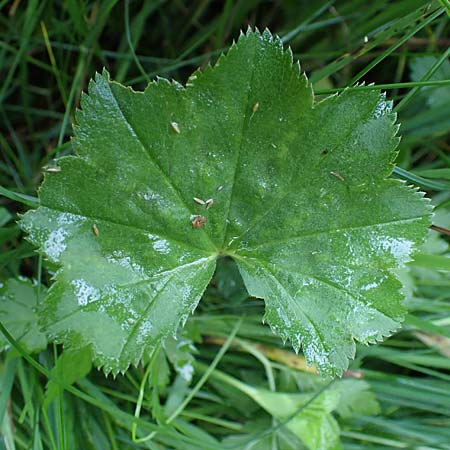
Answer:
(18, 302)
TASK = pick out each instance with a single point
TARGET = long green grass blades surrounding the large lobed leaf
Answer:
(48, 52)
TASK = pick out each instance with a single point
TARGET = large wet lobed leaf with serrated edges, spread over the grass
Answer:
(299, 194)
